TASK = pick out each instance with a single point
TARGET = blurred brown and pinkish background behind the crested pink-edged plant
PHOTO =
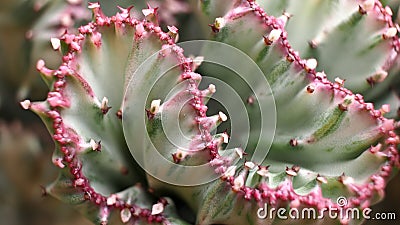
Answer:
(26, 27)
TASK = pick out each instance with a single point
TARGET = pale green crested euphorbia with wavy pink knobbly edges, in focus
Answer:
(123, 78)
